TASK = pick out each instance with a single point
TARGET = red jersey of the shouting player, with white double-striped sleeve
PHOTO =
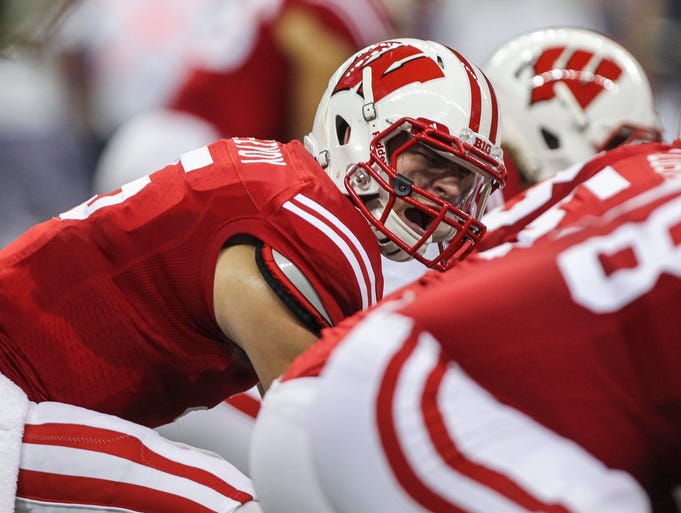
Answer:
(110, 306)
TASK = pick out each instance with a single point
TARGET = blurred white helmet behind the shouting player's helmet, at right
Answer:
(566, 94)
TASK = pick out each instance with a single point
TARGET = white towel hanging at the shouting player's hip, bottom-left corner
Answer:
(13, 411)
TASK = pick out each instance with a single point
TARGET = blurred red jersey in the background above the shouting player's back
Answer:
(255, 77)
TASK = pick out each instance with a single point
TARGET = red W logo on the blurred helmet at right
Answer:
(584, 85)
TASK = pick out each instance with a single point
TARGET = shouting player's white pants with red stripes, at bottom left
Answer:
(77, 460)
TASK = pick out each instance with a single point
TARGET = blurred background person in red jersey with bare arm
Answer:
(267, 64)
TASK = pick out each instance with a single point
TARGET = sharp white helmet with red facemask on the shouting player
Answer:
(439, 99)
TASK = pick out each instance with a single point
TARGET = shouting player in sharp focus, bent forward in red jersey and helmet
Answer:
(213, 273)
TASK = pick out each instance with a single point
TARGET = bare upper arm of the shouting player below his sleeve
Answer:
(251, 314)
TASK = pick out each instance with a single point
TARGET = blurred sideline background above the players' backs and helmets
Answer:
(96, 92)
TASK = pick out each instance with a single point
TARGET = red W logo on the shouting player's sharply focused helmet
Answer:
(394, 65)
